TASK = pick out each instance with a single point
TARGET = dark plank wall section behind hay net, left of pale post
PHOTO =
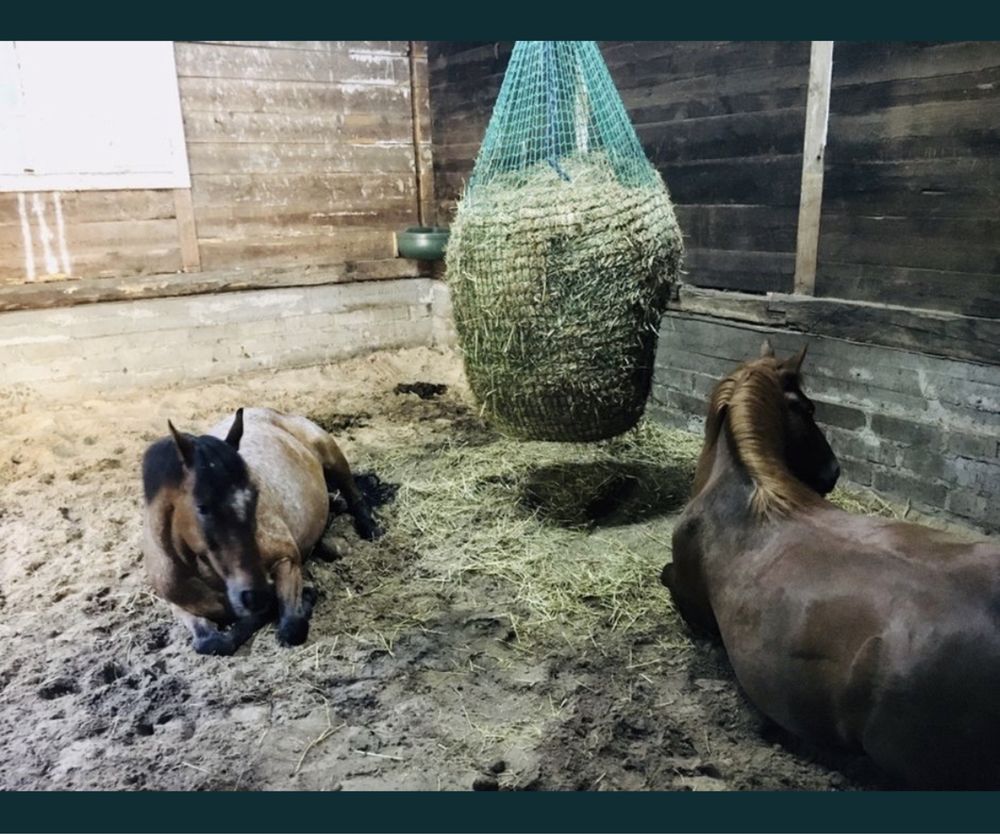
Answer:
(722, 121)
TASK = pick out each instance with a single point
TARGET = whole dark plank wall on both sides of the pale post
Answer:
(911, 199)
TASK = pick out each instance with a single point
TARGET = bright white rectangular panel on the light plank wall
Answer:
(81, 115)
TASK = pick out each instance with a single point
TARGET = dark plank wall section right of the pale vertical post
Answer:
(911, 199)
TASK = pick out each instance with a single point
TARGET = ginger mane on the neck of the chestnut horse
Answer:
(749, 405)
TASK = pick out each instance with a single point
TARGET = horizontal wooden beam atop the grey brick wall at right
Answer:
(967, 338)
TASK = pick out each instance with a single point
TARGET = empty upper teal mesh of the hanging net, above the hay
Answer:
(558, 101)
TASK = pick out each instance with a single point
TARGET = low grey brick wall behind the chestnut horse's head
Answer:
(913, 427)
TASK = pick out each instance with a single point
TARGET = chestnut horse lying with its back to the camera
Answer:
(865, 633)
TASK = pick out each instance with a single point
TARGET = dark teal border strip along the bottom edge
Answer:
(248, 813)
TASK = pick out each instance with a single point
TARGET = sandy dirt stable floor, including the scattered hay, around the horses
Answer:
(499, 637)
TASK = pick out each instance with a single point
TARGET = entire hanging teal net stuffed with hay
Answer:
(562, 253)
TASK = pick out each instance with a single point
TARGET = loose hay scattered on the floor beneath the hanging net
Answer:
(580, 531)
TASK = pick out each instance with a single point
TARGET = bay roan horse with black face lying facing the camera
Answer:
(230, 512)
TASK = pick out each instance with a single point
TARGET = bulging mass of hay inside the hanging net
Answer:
(558, 289)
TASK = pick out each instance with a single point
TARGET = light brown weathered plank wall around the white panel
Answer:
(301, 154)
